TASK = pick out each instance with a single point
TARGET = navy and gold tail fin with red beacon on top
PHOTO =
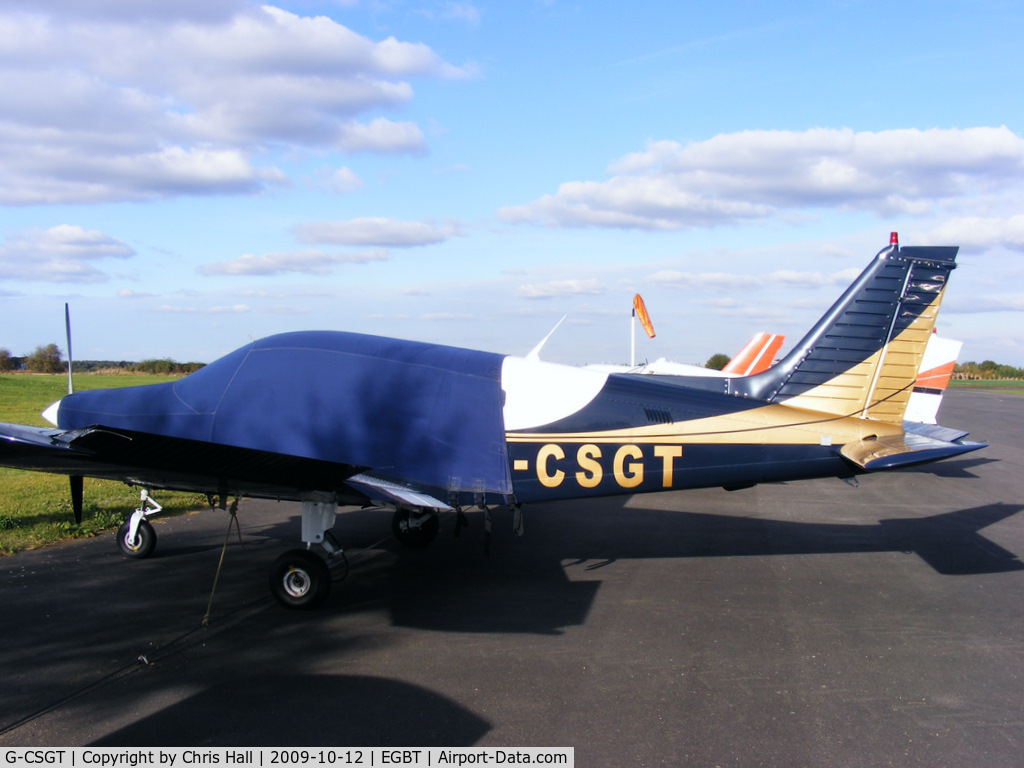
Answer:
(863, 358)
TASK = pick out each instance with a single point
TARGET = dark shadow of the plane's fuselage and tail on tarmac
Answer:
(524, 585)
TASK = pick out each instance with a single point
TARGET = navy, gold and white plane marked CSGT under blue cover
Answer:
(331, 418)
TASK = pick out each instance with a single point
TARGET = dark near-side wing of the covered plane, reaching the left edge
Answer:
(176, 463)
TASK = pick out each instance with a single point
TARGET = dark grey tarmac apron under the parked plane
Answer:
(804, 624)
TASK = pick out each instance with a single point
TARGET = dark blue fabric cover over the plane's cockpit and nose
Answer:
(422, 414)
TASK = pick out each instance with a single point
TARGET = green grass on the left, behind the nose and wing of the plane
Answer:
(35, 508)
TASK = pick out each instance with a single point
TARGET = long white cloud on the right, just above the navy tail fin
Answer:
(754, 176)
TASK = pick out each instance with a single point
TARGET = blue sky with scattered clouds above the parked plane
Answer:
(191, 176)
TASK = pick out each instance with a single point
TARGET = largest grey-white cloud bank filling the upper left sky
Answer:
(129, 104)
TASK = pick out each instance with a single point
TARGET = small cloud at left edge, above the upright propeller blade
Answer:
(61, 254)
